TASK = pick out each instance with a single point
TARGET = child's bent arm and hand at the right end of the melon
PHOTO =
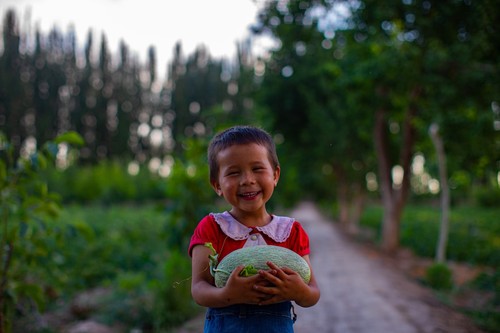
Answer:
(288, 285)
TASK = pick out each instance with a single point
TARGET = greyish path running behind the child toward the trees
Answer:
(361, 292)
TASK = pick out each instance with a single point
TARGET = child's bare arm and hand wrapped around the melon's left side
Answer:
(238, 290)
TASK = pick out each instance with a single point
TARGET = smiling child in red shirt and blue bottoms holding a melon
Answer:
(244, 170)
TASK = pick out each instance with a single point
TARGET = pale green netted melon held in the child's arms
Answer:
(254, 258)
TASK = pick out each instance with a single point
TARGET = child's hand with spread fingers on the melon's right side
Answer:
(286, 285)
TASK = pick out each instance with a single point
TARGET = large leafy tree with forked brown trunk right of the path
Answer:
(432, 68)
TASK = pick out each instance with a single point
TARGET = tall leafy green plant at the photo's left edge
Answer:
(27, 236)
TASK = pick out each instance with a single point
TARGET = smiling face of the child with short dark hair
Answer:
(246, 178)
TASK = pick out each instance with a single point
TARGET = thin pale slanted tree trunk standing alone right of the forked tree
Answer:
(445, 193)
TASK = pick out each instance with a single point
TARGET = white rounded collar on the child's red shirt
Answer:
(278, 229)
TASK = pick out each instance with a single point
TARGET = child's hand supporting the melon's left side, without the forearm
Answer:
(242, 289)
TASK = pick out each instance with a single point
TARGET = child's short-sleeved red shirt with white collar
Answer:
(227, 234)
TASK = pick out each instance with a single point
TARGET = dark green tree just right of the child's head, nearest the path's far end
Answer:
(304, 89)
